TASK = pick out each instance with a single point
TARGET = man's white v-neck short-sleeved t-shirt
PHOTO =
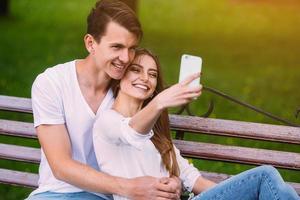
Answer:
(57, 99)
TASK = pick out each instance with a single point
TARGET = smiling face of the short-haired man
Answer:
(115, 51)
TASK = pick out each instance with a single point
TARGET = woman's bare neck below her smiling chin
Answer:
(127, 105)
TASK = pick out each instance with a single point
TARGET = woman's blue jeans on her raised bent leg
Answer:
(263, 183)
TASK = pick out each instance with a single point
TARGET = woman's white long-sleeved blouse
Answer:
(123, 152)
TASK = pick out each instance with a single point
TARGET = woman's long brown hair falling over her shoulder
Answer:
(162, 137)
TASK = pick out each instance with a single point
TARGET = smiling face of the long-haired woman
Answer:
(140, 79)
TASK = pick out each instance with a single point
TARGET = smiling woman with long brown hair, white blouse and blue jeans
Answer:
(123, 151)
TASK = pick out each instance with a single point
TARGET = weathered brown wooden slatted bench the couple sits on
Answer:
(180, 124)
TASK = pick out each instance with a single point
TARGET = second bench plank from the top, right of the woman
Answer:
(236, 154)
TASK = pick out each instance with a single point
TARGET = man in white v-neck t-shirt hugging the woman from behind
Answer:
(67, 99)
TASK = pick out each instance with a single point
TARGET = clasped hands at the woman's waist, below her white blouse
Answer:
(150, 188)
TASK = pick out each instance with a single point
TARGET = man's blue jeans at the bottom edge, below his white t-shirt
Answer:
(65, 196)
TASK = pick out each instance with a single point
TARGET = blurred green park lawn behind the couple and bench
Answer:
(250, 50)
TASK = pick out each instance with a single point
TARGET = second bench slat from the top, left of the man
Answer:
(16, 128)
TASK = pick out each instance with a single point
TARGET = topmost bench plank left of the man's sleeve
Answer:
(18, 104)
